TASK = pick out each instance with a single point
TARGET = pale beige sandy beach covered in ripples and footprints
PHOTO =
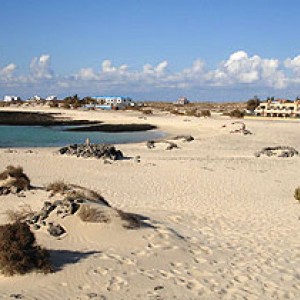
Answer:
(222, 223)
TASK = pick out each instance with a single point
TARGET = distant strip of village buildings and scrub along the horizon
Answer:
(270, 108)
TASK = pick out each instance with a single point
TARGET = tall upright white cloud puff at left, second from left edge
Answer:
(40, 67)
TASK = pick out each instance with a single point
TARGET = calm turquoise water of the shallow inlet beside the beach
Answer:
(38, 136)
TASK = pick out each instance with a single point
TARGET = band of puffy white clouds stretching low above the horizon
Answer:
(240, 71)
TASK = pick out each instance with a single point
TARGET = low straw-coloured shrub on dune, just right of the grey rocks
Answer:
(92, 214)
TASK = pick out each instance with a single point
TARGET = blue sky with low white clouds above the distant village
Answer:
(206, 50)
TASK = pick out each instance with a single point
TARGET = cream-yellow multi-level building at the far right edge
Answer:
(278, 108)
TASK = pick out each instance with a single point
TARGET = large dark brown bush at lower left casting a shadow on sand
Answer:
(19, 253)
